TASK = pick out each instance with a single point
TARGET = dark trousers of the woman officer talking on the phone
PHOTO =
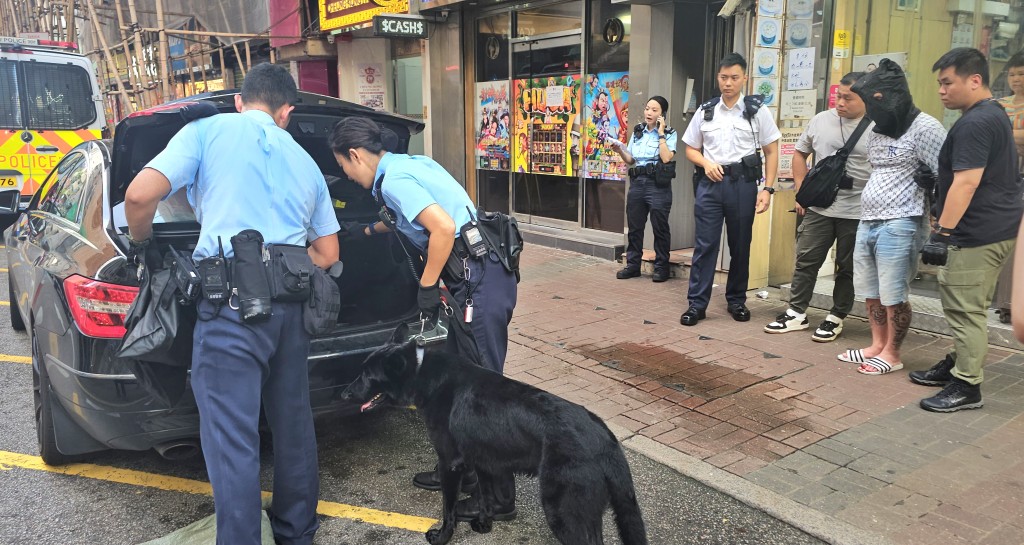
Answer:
(646, 198)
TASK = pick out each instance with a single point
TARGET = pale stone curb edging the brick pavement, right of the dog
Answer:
(817, 524)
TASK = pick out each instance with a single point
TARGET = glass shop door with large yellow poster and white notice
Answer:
(546, 77)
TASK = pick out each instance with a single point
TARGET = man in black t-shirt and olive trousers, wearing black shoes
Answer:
(978, 207)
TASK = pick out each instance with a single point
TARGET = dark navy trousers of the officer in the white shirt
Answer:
(733, 201)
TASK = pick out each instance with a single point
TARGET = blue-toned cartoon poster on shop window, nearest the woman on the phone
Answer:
(607, 117)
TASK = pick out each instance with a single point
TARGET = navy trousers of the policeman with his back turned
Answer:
(235, 365)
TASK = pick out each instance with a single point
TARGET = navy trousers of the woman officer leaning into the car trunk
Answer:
(494, 292)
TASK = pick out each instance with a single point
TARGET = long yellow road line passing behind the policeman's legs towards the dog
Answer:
(188, 486)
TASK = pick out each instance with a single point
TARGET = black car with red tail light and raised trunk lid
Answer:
(71, 285)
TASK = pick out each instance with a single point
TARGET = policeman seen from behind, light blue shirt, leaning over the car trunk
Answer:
(244, 172)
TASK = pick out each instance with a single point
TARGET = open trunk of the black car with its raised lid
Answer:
(377, 285)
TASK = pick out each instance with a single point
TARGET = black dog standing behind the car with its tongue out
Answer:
(481, 420)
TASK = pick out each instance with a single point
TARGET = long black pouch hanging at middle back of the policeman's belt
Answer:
(249, 277)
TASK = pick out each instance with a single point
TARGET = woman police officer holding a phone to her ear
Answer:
(653, 144)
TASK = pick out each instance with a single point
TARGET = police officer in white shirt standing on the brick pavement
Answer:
(723, 142)
